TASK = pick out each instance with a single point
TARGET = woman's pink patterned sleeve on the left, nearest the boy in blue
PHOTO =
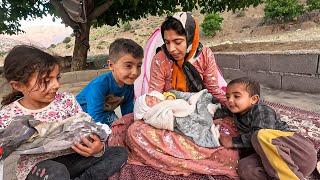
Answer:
(157, 77)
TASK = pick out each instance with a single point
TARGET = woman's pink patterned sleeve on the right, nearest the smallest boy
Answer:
(210, 76)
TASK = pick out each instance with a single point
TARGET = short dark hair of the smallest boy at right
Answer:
(252, 86)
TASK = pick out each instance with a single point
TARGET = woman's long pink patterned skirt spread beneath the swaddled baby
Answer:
(171, 152)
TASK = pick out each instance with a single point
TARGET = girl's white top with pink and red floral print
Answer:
(63, 106)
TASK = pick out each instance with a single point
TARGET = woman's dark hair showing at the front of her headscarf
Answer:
(173, 24)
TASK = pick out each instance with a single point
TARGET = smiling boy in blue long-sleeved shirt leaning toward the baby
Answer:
(116, 87)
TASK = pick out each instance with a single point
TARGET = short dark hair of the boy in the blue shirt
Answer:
(122, 46)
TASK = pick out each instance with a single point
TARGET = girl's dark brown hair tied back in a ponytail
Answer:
(21, 62)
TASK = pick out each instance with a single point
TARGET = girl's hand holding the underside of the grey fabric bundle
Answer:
(88, 148)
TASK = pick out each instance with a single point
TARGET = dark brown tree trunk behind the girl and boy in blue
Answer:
(81, 47)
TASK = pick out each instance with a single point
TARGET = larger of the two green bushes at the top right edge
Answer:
(282, 10)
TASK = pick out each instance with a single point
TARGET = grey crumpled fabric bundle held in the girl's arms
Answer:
(25, 135)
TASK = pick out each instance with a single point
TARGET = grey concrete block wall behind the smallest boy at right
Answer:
(294, 71)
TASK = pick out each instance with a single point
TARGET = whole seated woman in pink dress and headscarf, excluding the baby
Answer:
(182, 64)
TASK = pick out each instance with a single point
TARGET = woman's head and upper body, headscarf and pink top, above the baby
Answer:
(184, 64)
